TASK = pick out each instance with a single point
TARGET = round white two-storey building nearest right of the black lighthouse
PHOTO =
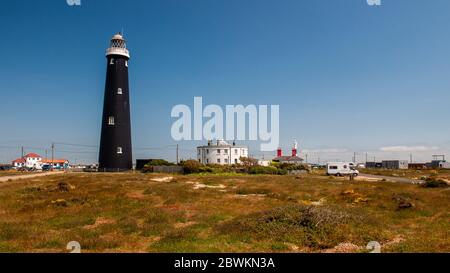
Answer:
(221, 152)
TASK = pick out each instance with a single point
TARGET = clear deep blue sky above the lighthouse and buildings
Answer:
(348, 77)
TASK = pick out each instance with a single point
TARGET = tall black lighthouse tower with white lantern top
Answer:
(115, 143)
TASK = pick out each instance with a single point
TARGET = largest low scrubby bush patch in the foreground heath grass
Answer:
(310, 226)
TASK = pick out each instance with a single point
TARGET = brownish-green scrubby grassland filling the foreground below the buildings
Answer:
(232, 213)
